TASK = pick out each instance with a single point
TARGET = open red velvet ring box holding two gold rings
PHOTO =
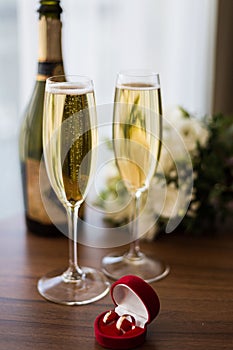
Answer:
(137, 300)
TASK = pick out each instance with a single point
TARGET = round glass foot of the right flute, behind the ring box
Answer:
(115, 266)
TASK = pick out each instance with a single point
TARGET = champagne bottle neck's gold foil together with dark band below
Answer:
(50, 51)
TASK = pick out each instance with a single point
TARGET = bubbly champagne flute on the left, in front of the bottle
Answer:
(69, 141)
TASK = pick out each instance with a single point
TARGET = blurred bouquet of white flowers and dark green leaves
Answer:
(193, 187)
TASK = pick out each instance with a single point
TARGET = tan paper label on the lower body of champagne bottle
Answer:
(42, 202)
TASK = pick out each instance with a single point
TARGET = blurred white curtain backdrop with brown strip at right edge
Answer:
(188, 42)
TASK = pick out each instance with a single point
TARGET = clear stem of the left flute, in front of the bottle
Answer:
(74, 272)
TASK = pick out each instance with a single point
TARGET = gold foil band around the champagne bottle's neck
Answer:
(50, 39)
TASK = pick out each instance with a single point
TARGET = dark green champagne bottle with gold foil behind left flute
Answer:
(30, 141)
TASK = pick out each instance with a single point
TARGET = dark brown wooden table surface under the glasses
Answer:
(196, 298)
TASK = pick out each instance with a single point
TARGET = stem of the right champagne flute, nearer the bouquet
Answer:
(134, 250)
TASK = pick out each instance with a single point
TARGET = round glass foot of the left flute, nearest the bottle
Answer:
(55, 287)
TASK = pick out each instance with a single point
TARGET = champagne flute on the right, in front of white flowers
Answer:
(137, 133)
